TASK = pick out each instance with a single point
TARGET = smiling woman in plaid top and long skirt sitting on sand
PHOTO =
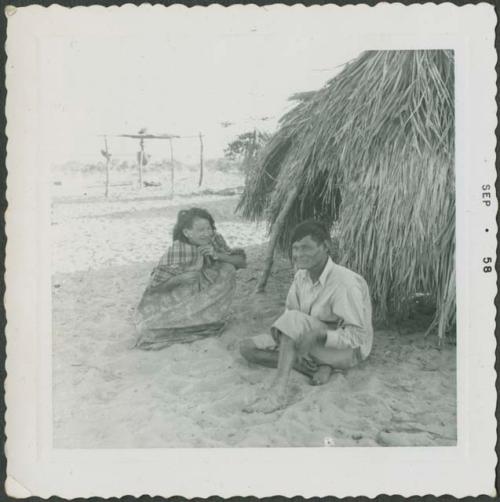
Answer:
(190, 290)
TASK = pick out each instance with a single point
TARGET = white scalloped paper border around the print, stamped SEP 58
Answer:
(35, 468)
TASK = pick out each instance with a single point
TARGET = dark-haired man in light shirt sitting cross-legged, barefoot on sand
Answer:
(326, 325)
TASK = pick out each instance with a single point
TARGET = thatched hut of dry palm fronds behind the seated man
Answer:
(372, 153)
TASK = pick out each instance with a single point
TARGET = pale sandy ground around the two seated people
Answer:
(107, 395)
